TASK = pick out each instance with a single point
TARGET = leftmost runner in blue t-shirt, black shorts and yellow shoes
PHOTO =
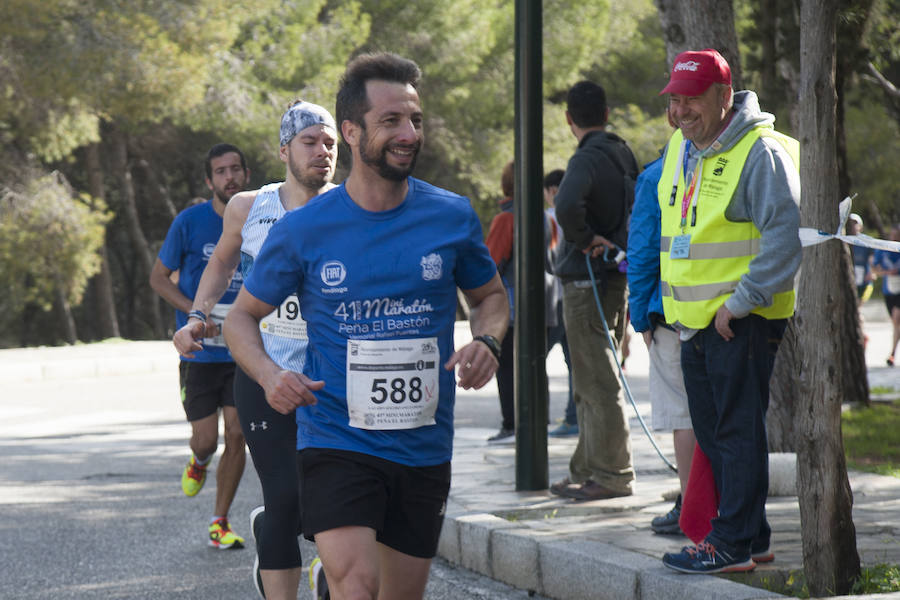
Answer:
(206, 377)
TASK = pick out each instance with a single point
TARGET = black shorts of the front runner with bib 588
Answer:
(404, 505)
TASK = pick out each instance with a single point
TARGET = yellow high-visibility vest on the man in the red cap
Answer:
(700, 272)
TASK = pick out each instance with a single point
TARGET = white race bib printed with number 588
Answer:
(392, 384)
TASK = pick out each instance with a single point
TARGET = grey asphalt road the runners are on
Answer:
(91, 504)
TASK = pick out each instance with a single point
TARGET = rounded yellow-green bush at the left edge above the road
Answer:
(49, 241)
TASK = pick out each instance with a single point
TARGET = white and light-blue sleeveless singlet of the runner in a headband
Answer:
(284, 331)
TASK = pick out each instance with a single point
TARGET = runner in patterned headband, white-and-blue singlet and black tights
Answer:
(308, 142)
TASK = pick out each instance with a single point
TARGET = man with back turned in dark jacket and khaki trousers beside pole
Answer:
(592, 207)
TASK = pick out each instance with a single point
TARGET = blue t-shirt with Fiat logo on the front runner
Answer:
(376, 278)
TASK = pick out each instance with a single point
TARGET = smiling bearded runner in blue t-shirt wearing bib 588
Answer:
(375, 264)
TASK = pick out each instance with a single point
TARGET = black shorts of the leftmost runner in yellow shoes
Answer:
(205, 387)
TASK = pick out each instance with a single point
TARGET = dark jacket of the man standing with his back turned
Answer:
(594, 198)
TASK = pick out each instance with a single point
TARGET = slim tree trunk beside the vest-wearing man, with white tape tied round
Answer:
(830, 559)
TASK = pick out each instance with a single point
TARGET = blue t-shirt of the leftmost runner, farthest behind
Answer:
(188, 245)
